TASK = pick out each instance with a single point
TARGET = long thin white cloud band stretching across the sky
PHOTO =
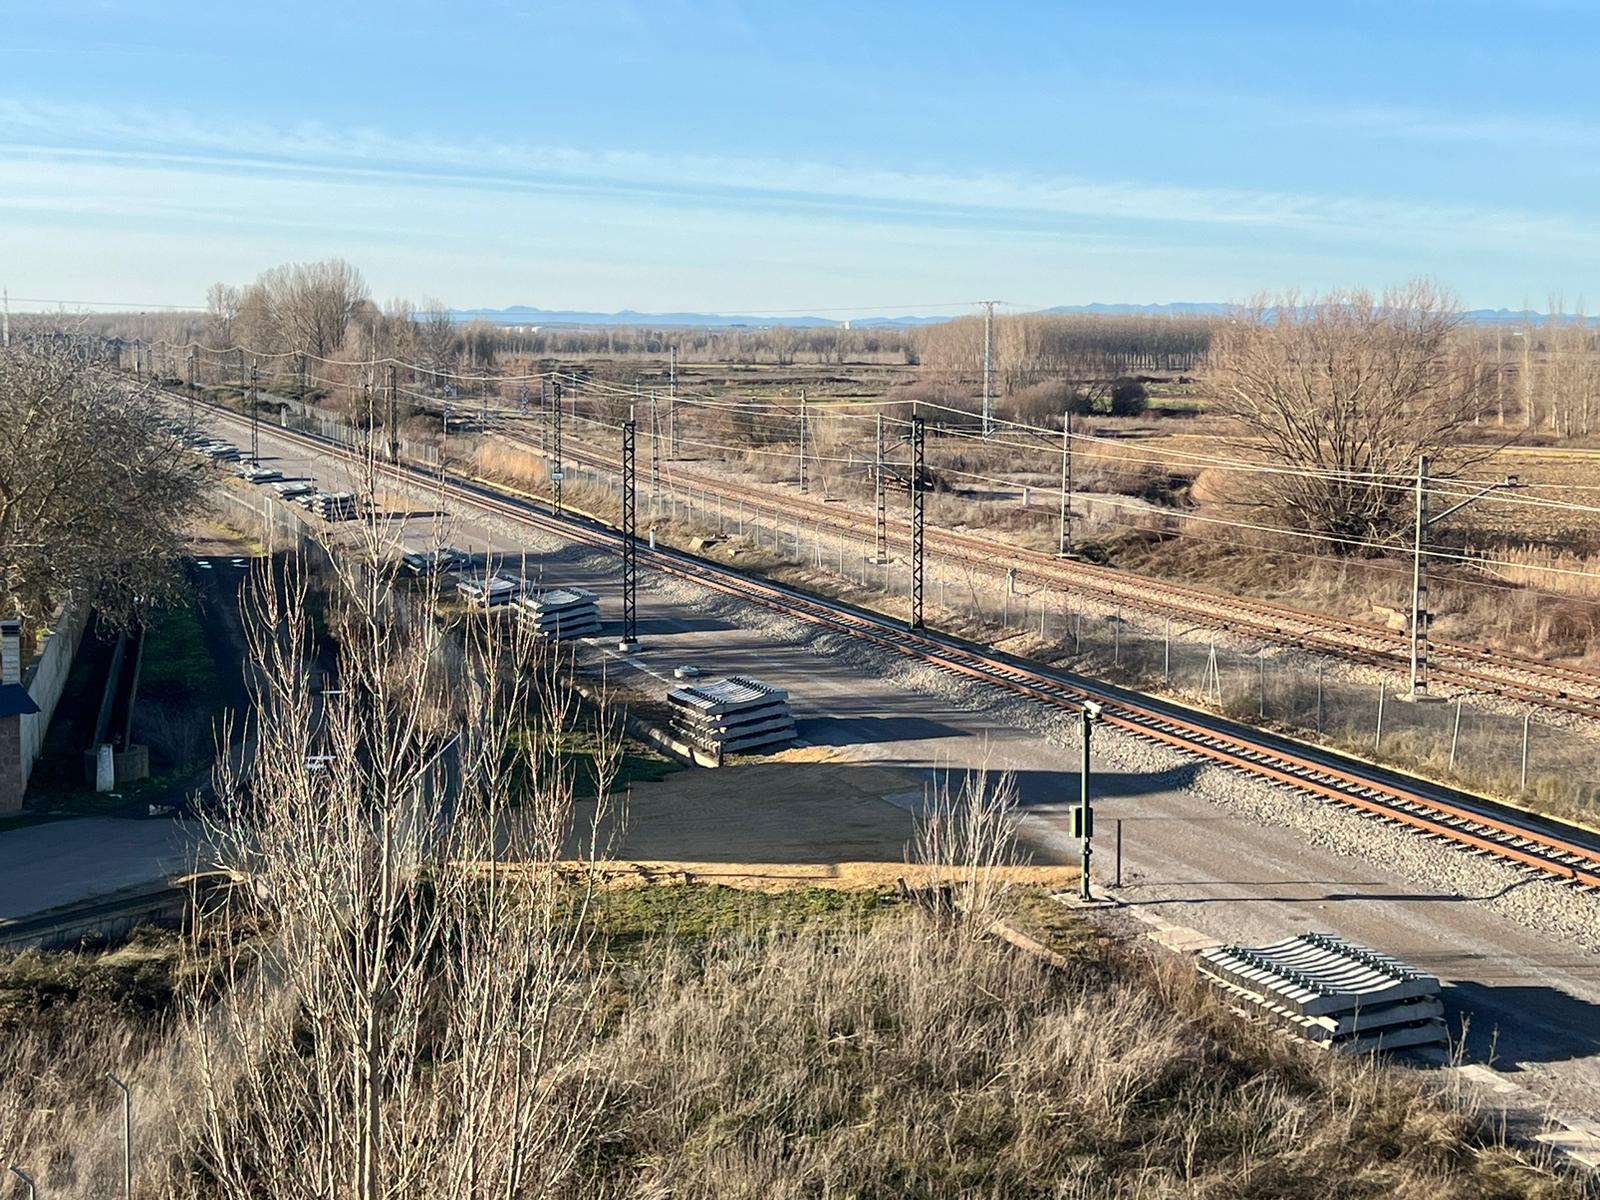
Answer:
(180, 142)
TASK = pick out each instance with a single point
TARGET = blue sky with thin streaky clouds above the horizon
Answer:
(759, 158)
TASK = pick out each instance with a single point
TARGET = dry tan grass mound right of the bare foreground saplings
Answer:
(894, 1060)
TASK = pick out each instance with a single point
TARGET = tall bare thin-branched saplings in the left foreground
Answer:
(418, 1018)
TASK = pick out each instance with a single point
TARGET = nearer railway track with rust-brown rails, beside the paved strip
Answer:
(1538, 846)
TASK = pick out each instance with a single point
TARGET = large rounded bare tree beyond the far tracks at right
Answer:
(1348, 391)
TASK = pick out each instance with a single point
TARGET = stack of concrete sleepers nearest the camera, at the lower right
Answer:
(1330, 991)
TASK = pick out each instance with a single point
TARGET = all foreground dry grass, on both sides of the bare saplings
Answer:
(812, 1044)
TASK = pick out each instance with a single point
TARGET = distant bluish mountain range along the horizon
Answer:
(522, 314)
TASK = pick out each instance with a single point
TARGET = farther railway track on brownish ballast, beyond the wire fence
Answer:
(1470, 670)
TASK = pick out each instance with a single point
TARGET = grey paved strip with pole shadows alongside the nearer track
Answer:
(1535, 999)
